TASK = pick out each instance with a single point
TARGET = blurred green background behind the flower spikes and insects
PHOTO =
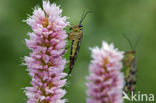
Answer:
(111, 18)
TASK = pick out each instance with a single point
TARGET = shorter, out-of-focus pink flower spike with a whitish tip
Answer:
(106, 79)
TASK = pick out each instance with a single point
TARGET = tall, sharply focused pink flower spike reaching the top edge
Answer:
(46, 63)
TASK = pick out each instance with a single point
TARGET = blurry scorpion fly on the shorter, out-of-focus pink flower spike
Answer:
(130, 63)
